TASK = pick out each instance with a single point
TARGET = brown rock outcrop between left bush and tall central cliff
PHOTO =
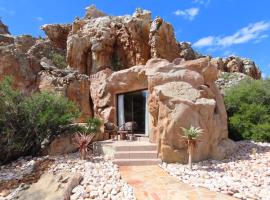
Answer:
(67, 82)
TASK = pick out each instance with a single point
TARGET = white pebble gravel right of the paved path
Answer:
(245, 174)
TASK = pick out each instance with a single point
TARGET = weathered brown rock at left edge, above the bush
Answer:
(17, 63)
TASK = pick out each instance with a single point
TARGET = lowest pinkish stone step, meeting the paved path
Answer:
(136, 162)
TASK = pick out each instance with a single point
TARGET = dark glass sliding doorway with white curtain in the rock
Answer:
(132, 107)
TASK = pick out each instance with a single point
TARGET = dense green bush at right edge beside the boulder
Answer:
(248, 110)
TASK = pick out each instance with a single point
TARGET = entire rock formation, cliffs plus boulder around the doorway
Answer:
(108, 55)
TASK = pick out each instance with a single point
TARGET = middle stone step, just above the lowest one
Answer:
(135, 155)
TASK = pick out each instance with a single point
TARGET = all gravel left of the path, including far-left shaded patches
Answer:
(101, 178)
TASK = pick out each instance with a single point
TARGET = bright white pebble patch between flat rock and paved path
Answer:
(101, 178)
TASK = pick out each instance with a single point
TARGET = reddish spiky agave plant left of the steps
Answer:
(82, 141)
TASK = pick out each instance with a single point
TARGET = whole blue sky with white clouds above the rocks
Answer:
(216, 27)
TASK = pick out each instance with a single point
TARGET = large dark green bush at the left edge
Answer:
(26, 121)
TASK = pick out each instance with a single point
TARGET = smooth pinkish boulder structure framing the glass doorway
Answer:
(180, 96)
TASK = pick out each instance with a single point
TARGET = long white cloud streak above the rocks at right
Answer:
(252, 32)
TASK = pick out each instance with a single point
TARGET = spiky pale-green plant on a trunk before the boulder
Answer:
(191, 138)
